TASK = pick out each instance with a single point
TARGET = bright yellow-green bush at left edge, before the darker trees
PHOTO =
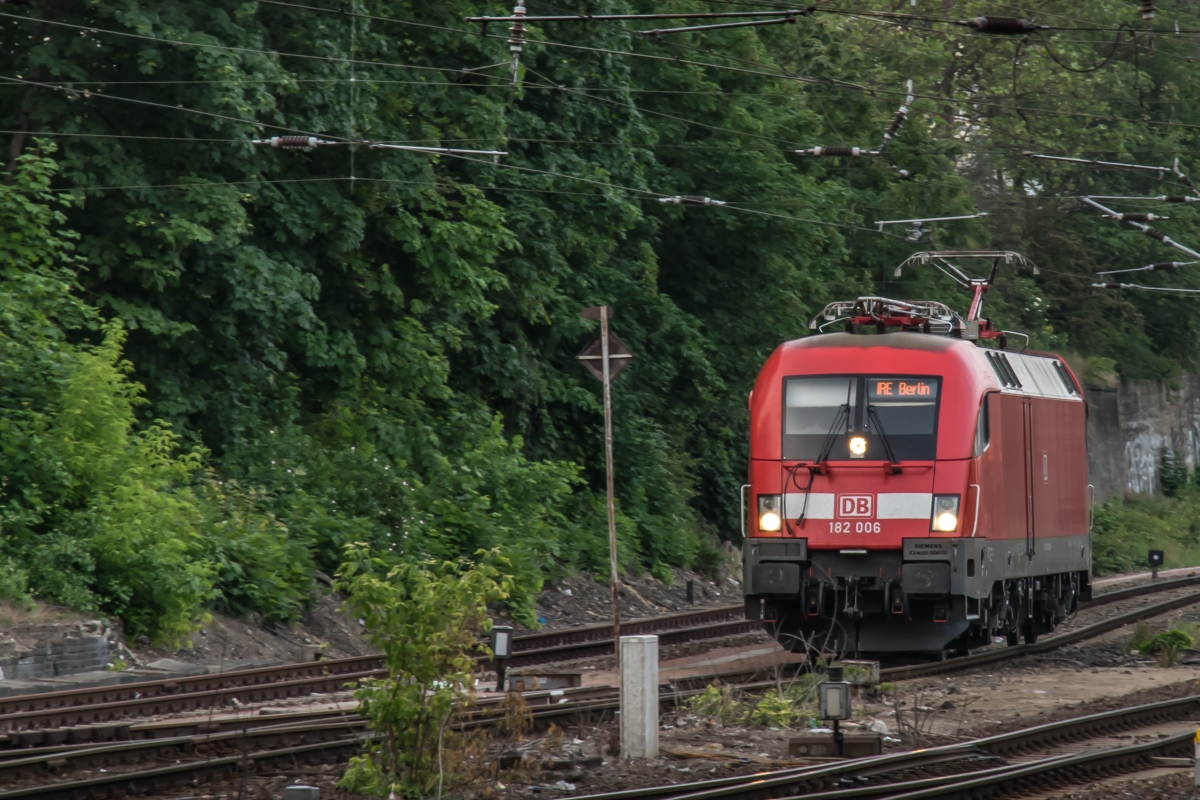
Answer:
(97, 510)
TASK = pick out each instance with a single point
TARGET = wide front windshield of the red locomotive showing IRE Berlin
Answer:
(843, 418)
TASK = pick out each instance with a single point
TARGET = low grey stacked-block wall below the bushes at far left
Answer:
(35, 651)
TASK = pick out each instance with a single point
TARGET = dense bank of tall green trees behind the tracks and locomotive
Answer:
(389, 359)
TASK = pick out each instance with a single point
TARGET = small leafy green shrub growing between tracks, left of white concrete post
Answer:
(425, 618)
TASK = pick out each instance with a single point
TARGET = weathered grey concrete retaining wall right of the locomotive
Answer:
(1129, 428)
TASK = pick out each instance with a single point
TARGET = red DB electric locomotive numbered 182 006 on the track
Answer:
(913, 491)
